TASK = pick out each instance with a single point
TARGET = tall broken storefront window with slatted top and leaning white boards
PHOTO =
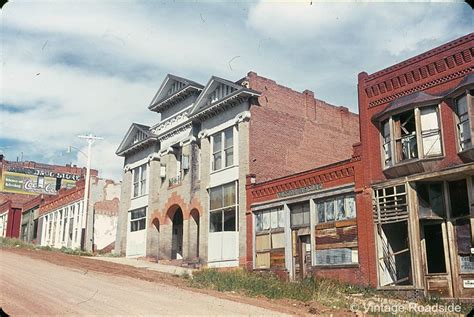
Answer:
(393, 240)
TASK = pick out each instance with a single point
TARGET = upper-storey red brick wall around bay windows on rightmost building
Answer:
(433, 72)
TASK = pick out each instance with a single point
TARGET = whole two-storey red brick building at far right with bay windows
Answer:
(417, 122)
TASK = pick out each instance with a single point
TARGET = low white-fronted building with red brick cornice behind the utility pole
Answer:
(64, 223)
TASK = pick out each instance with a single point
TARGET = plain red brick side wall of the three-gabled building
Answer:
(292, 131)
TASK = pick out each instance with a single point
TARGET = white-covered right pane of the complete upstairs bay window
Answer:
(430, 131)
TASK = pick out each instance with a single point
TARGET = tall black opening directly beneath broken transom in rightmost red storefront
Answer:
(434, 248)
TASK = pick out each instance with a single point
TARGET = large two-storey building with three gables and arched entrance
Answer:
(183, 193)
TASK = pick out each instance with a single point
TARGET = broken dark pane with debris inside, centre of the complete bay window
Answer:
(405, 136)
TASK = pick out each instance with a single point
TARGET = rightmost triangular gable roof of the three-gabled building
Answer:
(205, 102)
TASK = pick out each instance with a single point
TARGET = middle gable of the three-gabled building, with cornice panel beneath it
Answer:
(174, 95)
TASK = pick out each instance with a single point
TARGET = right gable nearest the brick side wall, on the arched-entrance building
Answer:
(218, 95)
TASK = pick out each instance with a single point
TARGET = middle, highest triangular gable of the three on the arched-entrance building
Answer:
(172, 90)
